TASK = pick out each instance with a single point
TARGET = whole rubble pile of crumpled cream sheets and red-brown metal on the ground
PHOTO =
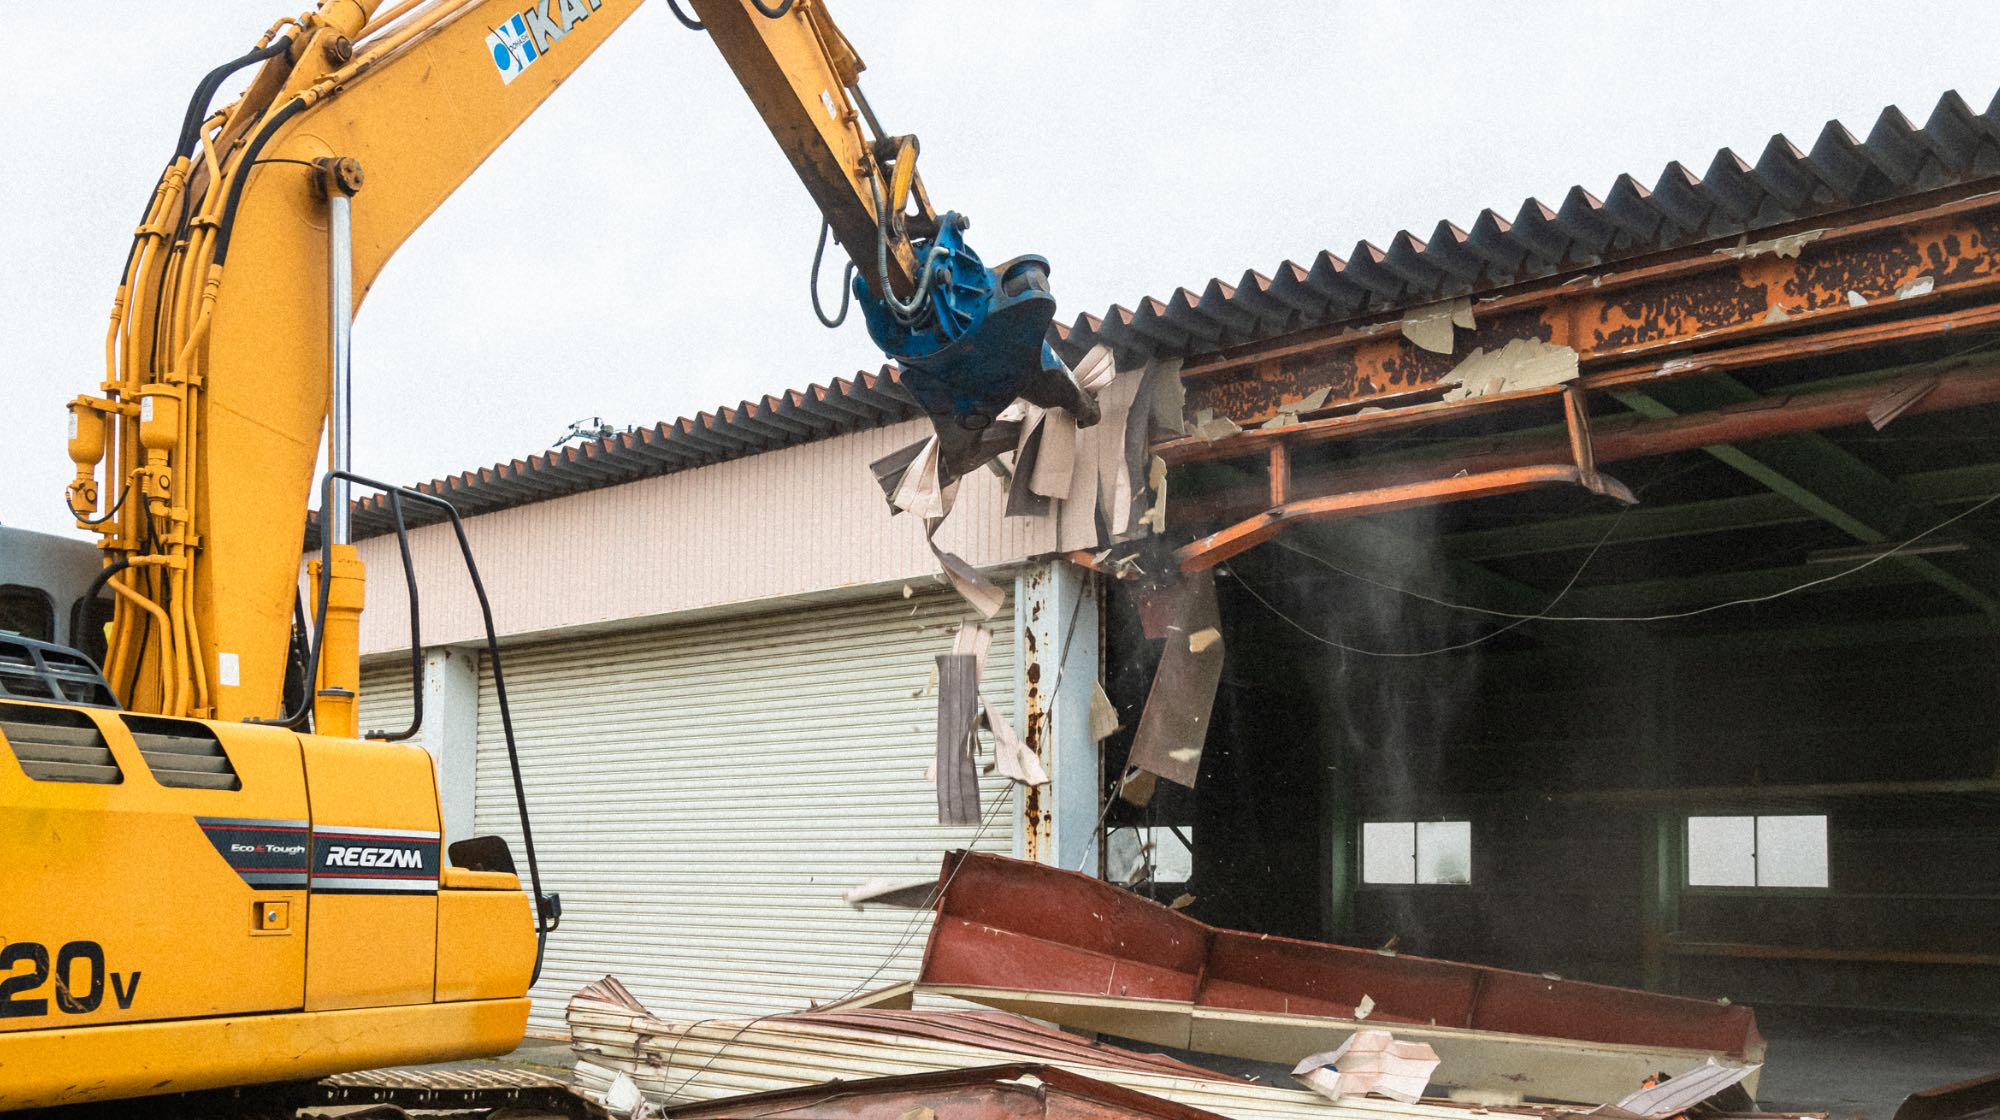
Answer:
(1267, 1029)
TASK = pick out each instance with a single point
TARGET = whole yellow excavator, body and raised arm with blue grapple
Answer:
(209, 879)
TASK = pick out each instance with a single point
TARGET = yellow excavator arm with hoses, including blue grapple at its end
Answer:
(277, 213)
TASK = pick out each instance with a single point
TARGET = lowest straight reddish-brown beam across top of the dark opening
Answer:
(1613, 441)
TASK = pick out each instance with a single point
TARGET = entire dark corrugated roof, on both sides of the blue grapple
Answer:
(1735, 197)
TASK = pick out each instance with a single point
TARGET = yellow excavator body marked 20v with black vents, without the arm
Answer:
(195, 905)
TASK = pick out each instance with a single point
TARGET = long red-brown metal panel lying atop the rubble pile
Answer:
(1027, 927)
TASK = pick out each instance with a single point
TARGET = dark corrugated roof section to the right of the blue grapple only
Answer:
(1583, 231)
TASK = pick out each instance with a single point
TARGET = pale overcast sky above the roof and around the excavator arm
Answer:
(639, 249)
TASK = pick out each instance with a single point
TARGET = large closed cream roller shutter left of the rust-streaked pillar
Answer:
(705, 793)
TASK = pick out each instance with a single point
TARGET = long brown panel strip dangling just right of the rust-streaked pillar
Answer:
(1175, 723)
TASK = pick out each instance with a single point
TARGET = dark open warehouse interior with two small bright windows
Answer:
(1789, 801)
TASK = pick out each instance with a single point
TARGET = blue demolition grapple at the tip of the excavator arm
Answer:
(975, 343)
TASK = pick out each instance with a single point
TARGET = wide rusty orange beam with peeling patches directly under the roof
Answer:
(1851, 277)
